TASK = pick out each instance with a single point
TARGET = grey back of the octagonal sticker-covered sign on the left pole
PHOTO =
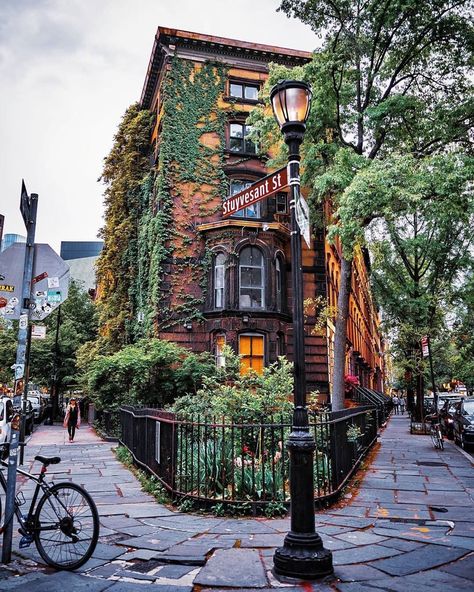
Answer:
(46, 295)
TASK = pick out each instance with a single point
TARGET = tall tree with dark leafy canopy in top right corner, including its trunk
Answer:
(391, 77)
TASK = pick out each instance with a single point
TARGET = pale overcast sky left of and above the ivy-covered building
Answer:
(68, 71)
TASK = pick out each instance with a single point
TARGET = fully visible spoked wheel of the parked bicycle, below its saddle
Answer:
(66, 526)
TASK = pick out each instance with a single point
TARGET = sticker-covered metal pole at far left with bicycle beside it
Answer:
(28, 207)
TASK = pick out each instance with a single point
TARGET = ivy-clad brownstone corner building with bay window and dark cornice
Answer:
(203, 281)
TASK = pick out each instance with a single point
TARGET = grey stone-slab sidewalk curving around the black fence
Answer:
(409, 526)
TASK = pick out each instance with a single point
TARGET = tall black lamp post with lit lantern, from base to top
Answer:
(302, 555)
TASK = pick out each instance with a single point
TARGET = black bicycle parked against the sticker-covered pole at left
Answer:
(64, 524)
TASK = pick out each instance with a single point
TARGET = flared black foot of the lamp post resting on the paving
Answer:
(302, 557)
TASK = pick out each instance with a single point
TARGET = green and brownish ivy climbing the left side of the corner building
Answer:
(151, 214)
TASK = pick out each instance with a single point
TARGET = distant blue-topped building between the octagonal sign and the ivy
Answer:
(81, 257)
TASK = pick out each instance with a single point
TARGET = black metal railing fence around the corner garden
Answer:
(217, 460)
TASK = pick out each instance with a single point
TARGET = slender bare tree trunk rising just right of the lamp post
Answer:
(340, 337)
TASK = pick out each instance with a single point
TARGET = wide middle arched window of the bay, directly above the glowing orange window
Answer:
(251, 278)
